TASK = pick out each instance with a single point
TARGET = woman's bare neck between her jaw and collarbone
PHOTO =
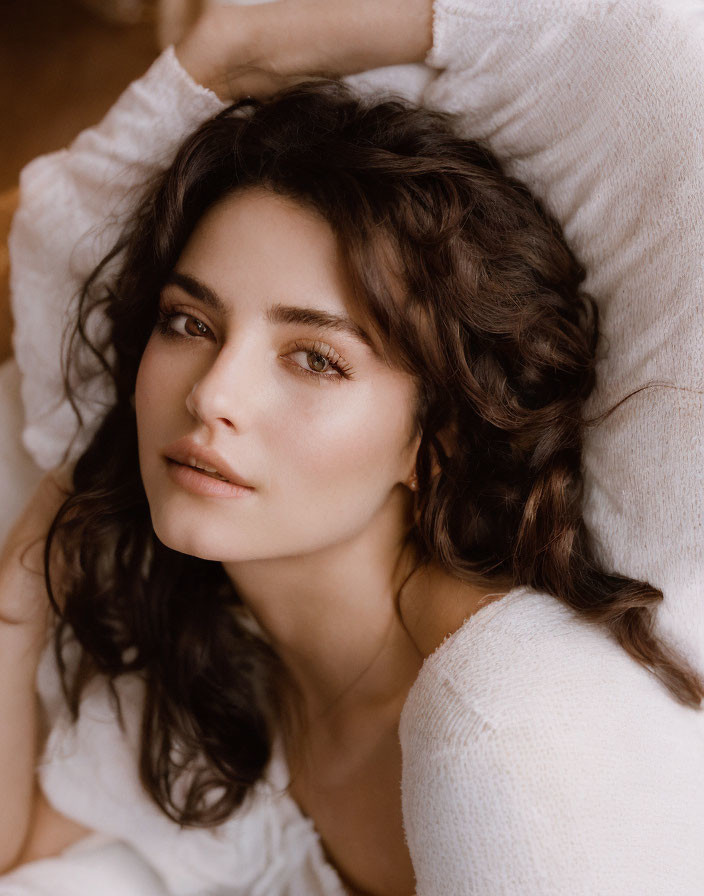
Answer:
(332, 616)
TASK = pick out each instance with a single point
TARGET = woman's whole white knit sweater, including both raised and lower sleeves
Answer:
(538, 757)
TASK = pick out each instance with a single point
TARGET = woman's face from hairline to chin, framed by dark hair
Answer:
(324, 444)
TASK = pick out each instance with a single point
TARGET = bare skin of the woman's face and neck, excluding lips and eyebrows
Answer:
(314, 550)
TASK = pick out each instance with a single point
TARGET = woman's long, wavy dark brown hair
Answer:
(468, 282)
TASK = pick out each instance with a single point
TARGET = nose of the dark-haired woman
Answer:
(222, 394)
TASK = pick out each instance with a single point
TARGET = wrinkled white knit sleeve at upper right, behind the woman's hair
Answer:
(598, 106)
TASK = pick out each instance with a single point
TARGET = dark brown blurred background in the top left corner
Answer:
(61, 68)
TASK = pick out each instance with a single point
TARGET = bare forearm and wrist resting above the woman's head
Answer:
(258, 49)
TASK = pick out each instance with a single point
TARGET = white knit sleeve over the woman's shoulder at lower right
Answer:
(524, 766)
